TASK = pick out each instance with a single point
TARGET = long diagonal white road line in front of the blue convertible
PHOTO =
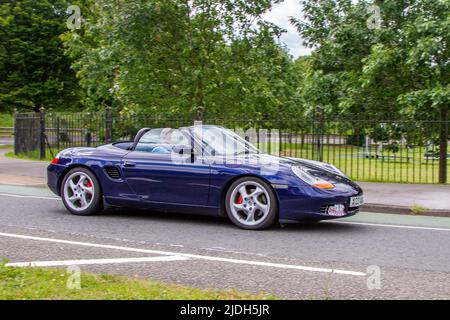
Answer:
(186, 255)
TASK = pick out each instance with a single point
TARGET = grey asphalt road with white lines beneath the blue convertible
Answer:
(322, 261)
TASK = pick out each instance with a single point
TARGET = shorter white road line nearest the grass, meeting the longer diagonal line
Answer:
(60, 263)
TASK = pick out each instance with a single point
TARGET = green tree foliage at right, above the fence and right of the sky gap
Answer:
(398, 69)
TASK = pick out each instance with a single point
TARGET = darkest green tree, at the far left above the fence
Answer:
(34, 71)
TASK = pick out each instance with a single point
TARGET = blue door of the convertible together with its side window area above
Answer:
(155, 177)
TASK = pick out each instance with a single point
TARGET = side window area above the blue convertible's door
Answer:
(161, 141)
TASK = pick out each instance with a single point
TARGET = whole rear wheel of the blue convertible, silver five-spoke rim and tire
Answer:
(81, 192)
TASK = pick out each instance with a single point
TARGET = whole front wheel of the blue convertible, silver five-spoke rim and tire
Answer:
(251, 204)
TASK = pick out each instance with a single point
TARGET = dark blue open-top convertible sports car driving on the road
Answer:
(203, 170)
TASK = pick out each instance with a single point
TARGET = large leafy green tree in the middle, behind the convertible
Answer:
(196, 58)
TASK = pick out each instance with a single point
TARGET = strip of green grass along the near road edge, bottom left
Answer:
(51, 284)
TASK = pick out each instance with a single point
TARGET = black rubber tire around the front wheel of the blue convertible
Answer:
(272, 215)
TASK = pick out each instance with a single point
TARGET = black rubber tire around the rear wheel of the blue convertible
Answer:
(96, 204)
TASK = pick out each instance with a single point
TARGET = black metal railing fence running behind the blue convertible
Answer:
(405, 151)
